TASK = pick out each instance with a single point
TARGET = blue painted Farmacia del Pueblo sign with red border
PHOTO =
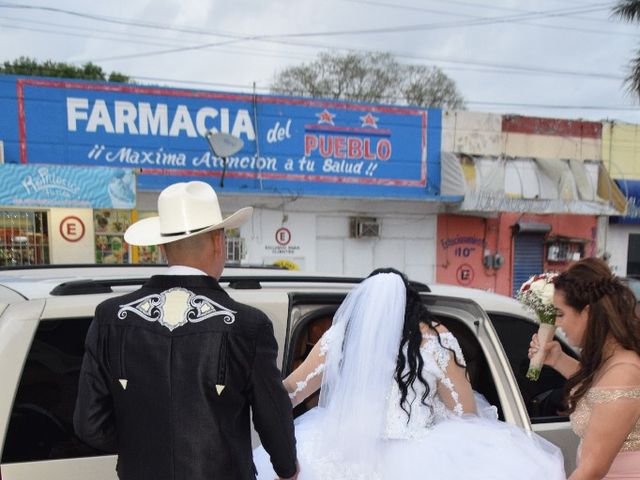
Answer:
(292, 146)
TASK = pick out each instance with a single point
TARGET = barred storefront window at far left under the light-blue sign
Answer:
(23, 238)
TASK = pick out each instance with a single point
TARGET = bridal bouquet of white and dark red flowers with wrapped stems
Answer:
(537, 295)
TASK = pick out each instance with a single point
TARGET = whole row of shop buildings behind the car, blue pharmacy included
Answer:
(480, 200)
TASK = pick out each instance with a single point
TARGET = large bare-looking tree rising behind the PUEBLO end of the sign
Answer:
(369, 77)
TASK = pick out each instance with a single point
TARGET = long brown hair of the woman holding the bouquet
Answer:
(590, 282)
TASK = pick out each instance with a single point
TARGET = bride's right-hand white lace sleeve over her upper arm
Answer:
(454, 388)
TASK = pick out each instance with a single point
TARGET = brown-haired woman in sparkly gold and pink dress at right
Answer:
(597, 314)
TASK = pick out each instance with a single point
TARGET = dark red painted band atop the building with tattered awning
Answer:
(551, 126)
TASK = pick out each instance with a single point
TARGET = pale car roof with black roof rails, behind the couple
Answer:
(39, 282)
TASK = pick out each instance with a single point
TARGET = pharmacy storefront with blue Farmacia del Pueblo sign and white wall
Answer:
(337, 187)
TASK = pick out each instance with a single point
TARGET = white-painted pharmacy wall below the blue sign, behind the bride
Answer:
(318, 233)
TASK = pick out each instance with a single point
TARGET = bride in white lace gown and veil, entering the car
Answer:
(396, 403)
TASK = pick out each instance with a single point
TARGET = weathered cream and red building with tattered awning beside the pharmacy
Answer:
(535, 191)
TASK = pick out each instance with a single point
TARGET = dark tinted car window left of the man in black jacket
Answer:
(41, 425)
